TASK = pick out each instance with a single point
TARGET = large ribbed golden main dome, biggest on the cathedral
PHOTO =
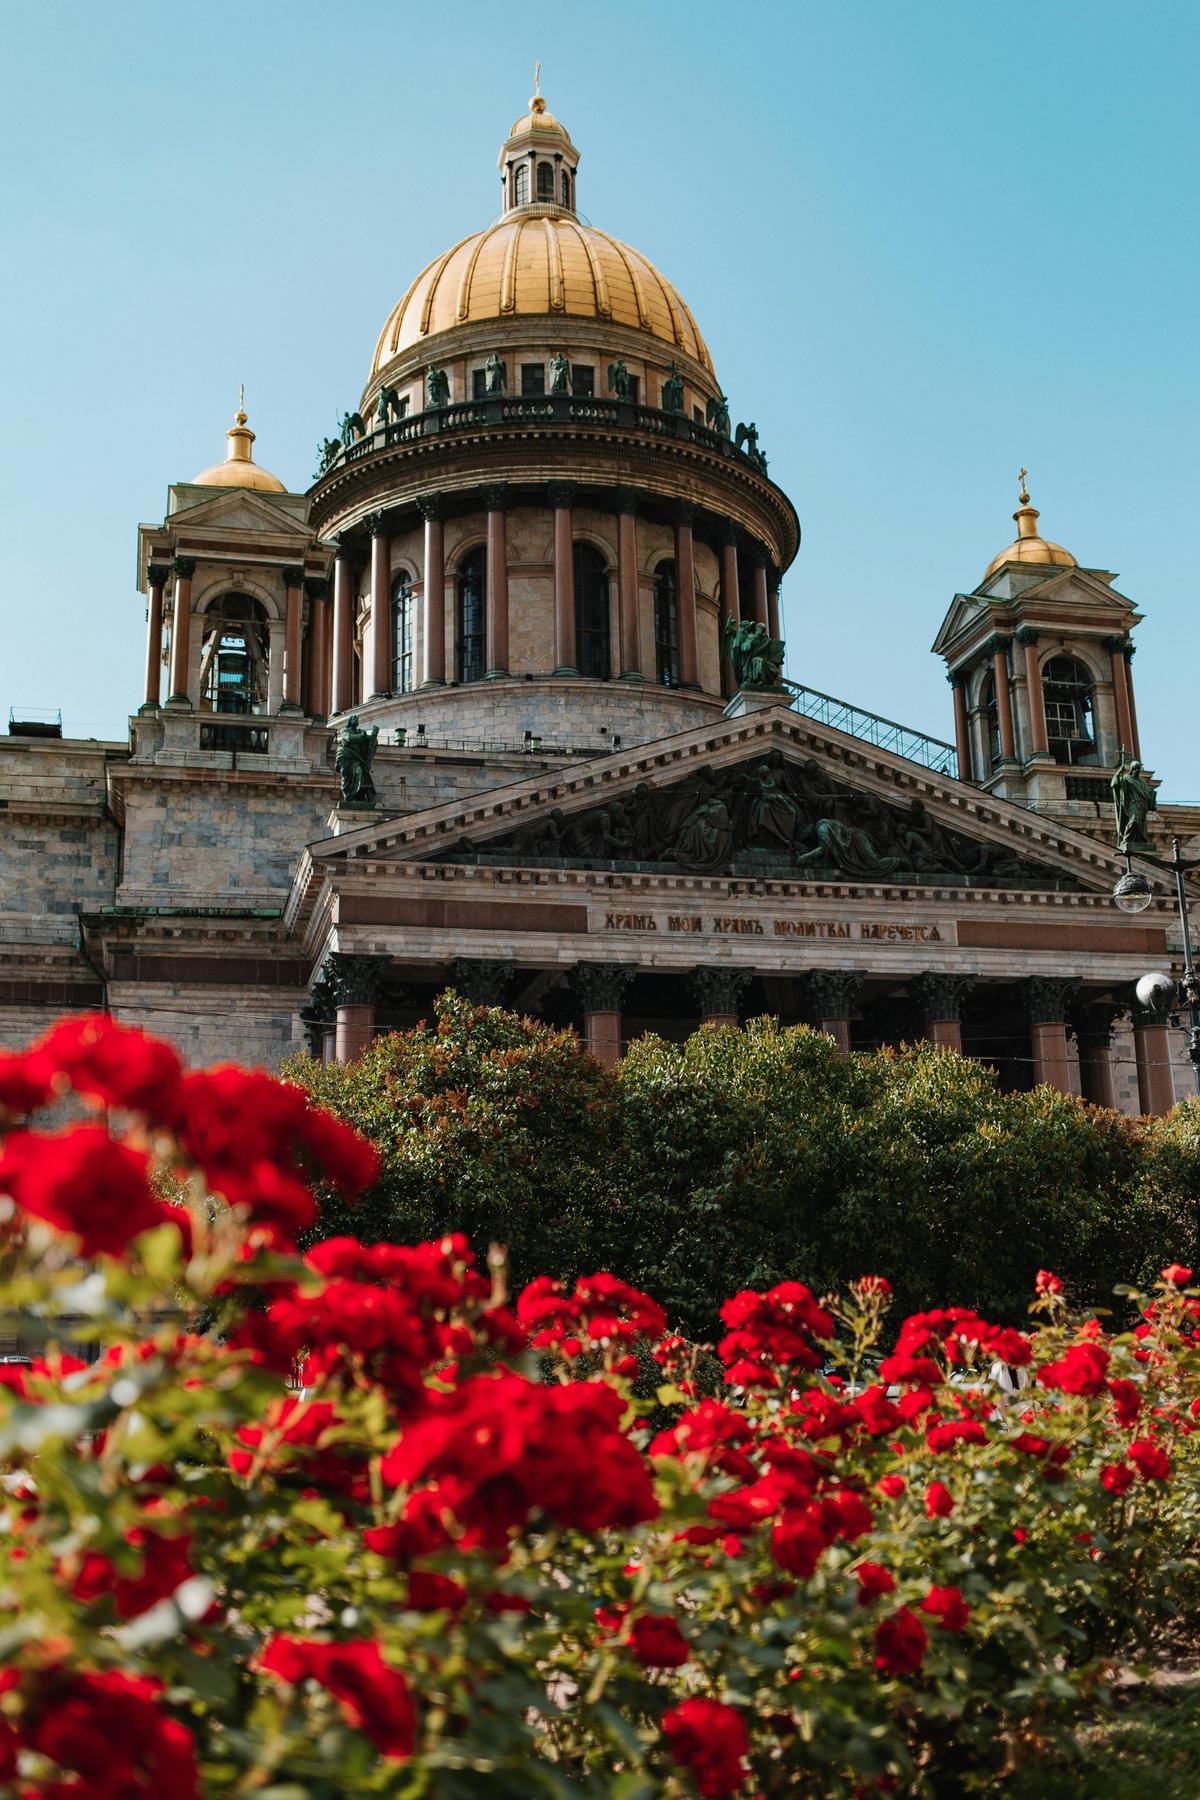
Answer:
(541, 262)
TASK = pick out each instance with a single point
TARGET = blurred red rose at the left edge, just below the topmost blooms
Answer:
(85, 1182)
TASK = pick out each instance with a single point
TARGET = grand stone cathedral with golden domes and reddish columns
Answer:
(497, 705)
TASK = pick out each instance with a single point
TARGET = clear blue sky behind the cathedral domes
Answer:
(927, 244)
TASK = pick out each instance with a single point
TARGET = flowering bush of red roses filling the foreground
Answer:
(339, 1518)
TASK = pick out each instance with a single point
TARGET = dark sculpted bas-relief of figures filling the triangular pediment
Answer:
(769, 816)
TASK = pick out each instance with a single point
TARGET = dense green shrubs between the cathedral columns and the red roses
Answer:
(753, 1156)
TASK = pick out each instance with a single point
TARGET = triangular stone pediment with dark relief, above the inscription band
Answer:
(775, 796)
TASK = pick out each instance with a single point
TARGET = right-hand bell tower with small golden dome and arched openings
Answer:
(1039, 660)
